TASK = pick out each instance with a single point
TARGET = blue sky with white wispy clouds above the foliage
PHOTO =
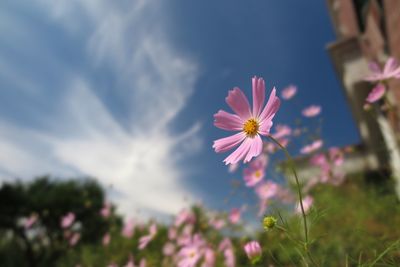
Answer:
(125, 90)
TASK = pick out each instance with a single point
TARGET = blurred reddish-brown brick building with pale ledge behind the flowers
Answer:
(368, 30)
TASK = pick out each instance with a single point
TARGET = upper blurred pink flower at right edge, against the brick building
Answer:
(390, 70)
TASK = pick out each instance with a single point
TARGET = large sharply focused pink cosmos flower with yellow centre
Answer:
(250, 123)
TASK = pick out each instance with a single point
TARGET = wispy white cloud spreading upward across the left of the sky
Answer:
(82, 136)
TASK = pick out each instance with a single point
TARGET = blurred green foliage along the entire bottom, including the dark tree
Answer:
(355, 224)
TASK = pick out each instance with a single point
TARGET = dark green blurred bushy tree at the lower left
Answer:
(50, 200)
